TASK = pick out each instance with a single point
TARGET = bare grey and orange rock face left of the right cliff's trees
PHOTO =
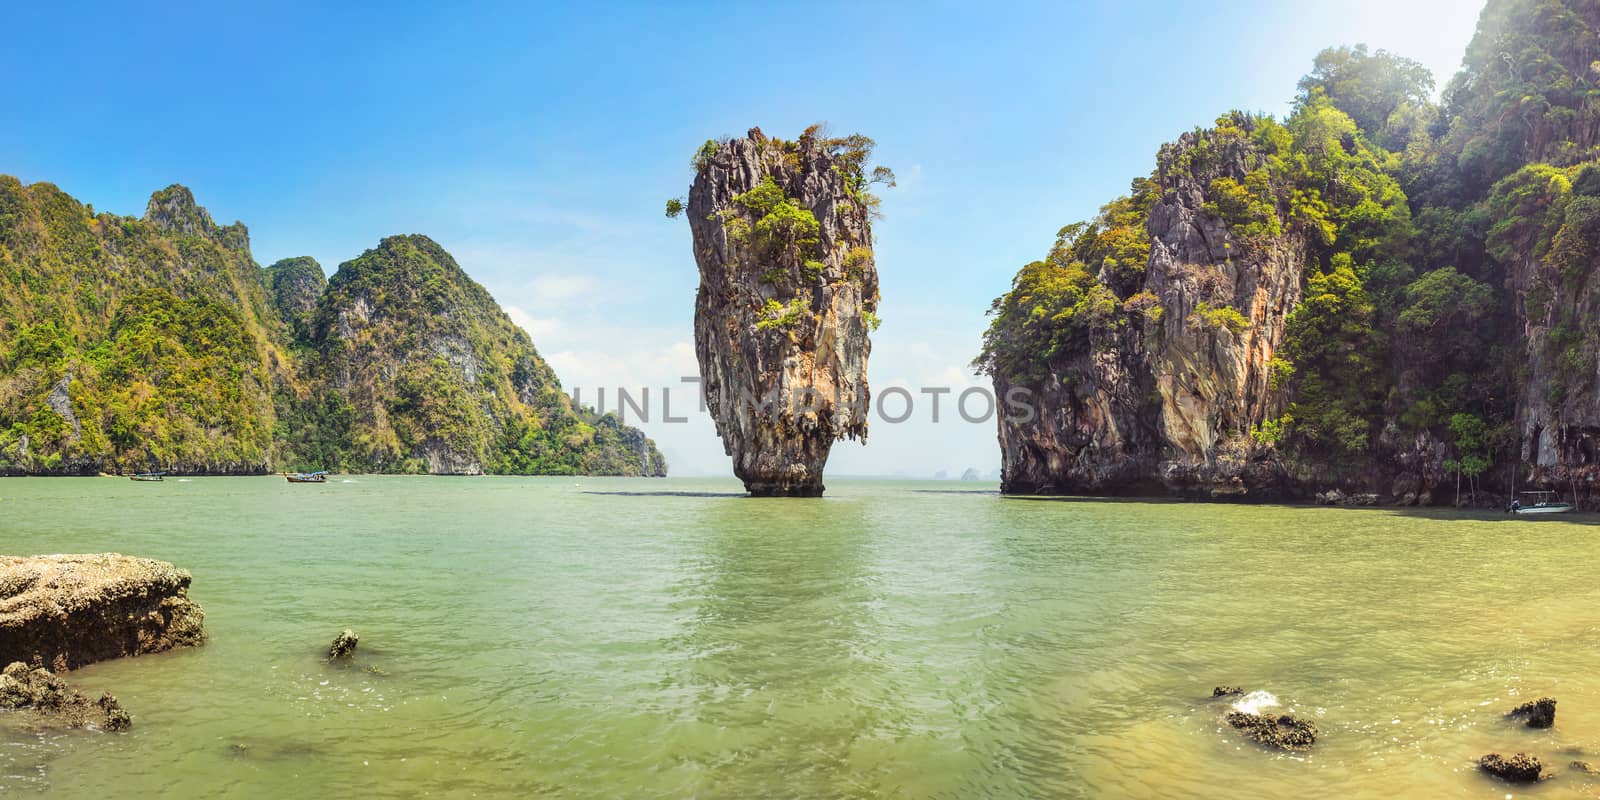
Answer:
(1162, 396)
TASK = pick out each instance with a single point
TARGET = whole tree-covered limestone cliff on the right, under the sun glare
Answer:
(1380, 297)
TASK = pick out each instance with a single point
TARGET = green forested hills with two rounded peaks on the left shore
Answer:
(158, 343)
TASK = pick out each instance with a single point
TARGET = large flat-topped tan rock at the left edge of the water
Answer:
(70, 610)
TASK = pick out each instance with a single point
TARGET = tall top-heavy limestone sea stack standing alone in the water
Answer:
(788, 300)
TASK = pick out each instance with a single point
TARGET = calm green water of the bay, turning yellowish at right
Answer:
(583, 638)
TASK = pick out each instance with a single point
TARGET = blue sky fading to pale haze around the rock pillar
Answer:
(538, 145)
